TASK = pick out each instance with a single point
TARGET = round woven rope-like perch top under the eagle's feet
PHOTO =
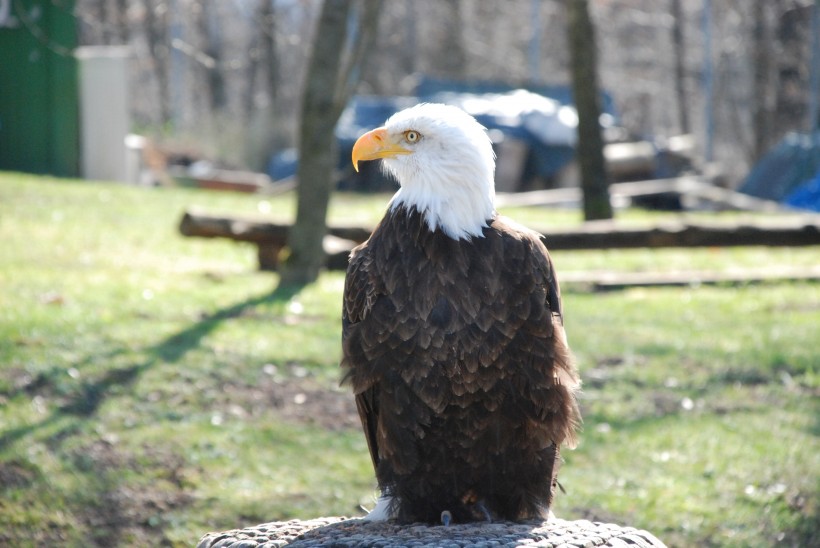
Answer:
(342, 532)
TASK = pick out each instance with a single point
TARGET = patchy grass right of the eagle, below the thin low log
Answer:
(701, 413)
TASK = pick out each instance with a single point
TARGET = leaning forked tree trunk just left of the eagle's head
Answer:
(329, 83)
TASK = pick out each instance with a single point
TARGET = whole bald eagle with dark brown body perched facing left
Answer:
(453, 338)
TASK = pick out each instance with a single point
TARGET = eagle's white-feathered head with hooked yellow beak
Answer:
(444, 162)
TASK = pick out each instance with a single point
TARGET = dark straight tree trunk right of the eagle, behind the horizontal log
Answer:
(590, 149)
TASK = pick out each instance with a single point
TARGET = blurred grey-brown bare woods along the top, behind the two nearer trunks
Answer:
(224, 79)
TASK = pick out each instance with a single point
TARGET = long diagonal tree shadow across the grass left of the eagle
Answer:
(85, 401)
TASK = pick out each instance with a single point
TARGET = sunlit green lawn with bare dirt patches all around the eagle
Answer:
(153, 387)
